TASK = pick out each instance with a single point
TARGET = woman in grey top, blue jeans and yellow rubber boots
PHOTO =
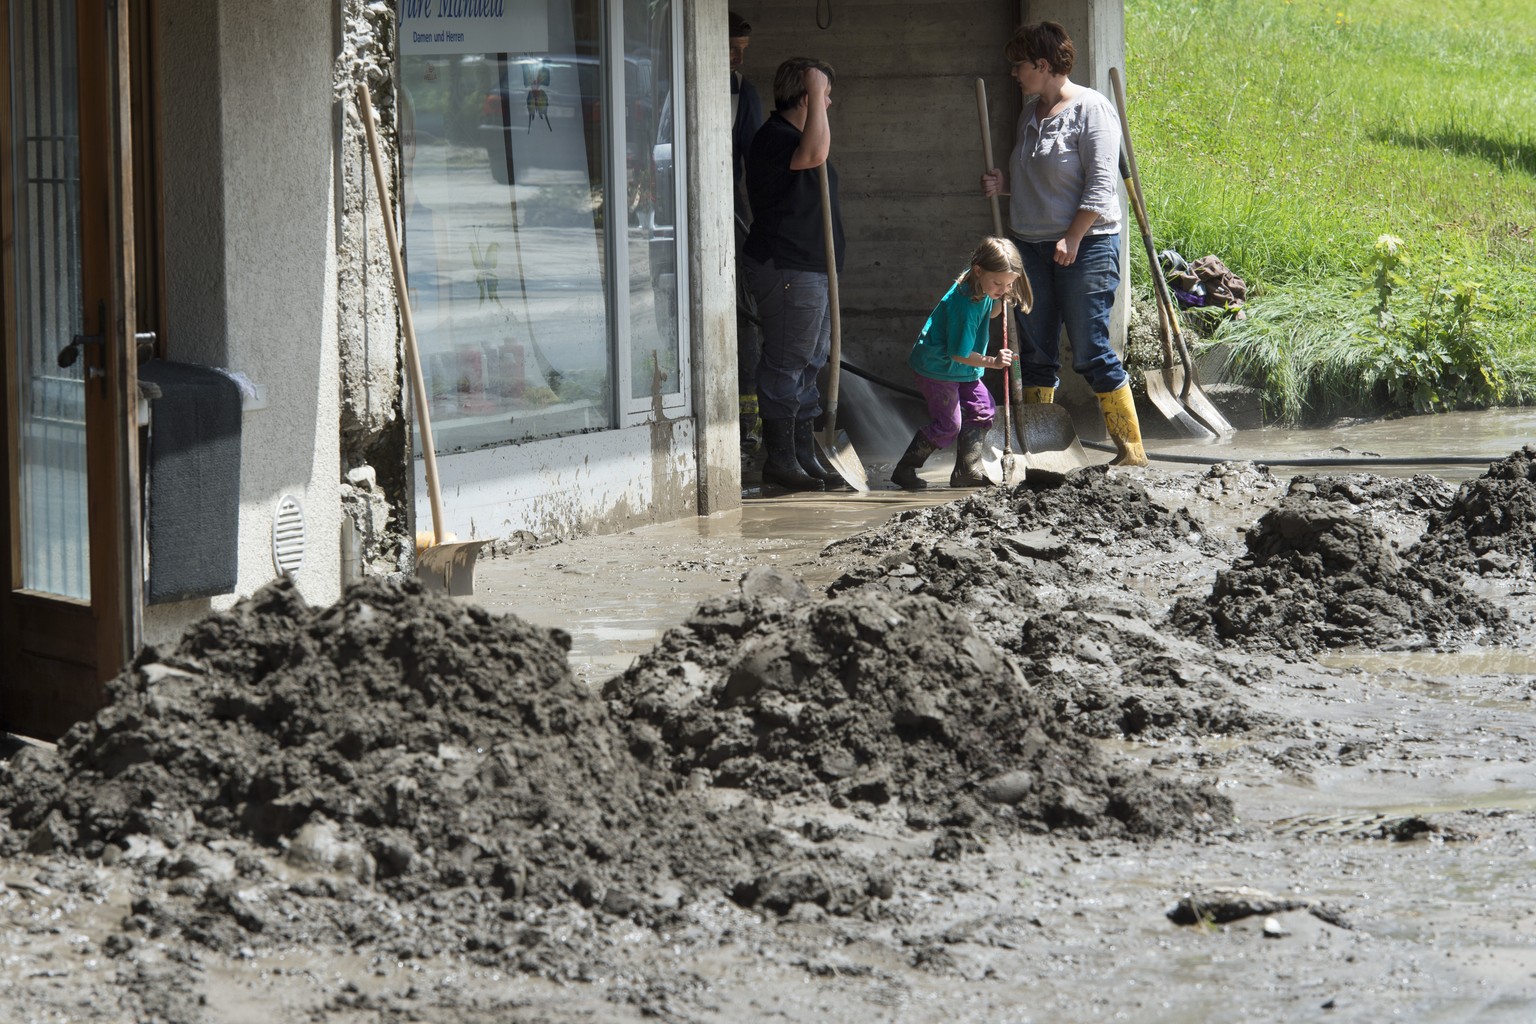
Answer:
(1065, 214)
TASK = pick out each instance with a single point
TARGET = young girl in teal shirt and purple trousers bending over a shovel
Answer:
(950, 357)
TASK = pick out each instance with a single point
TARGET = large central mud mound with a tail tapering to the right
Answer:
(872, 698)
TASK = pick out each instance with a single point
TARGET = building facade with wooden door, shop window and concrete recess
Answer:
(204, 369)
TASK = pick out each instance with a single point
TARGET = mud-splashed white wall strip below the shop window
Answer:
(598, 483)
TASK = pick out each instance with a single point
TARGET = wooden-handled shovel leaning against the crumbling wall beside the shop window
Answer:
(448, 564)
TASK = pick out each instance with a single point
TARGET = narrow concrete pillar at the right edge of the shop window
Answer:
(712, 254)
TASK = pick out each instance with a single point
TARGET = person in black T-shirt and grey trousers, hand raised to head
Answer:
(786, 263)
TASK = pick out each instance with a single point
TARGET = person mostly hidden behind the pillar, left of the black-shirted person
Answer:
(747, 116)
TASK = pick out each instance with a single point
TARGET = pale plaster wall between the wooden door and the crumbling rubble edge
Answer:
(248, 125)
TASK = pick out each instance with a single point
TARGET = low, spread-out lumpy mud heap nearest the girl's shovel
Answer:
(1024, 564)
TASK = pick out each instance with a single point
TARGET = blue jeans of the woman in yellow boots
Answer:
(1079, 299)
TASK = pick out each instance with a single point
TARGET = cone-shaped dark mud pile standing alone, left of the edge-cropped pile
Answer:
(1319, 575)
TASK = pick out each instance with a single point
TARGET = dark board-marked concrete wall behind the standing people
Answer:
(907, 139)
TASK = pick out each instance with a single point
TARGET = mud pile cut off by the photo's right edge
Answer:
(1491, 526)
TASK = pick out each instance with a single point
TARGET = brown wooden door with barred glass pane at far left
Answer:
(71, 569)
